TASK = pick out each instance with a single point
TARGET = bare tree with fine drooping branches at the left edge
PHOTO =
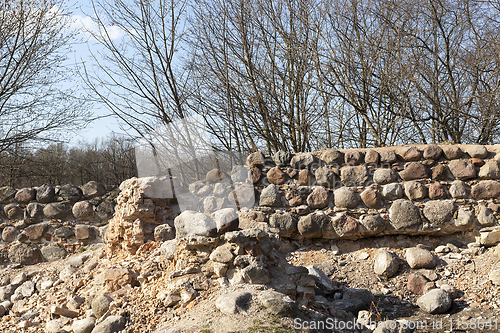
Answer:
(34, 99)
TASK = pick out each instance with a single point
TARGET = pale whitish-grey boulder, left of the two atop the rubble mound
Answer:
(191, 223)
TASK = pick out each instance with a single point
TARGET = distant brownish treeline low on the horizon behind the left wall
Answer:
(108, 161)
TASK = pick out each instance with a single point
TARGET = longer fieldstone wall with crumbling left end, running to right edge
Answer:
(331, 194)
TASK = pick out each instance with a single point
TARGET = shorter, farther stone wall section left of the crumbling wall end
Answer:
(45, 222)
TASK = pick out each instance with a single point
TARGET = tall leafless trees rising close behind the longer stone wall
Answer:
(306, 74)
